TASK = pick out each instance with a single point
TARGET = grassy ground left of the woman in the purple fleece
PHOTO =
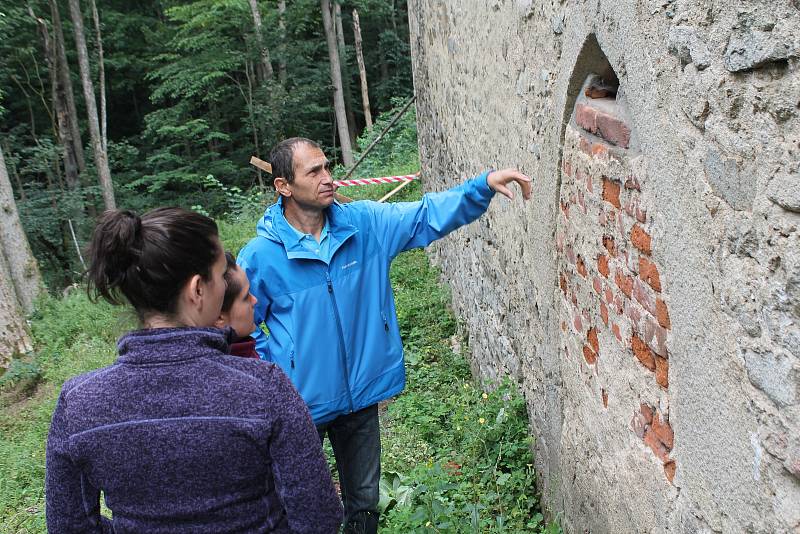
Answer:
(72, 336)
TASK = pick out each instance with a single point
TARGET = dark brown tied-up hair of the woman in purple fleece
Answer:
(147, 260)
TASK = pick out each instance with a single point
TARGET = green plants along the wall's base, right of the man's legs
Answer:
(456, 457)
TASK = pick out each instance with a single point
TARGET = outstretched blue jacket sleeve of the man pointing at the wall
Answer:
(406, 225)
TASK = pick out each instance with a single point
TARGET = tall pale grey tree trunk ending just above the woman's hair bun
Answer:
(100, 156)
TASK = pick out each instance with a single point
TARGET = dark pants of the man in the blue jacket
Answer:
(356, 442)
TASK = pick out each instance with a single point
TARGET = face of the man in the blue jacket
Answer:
(312, 186)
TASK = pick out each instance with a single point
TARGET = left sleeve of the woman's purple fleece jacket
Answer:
(71, 503)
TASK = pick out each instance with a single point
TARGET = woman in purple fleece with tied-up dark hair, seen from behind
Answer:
(178, 435)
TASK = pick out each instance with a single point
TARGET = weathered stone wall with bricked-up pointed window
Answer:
(648, 297)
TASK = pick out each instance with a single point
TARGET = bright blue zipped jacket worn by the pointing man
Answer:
(333, 328)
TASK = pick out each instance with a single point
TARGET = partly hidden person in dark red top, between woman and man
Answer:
(237, 311)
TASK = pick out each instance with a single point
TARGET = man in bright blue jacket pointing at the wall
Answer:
(320, 272)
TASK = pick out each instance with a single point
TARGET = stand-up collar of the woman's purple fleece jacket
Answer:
(170, 345)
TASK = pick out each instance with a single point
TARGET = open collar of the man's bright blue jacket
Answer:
(275, 227)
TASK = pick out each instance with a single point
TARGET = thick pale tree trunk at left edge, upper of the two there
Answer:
(24, 271)
